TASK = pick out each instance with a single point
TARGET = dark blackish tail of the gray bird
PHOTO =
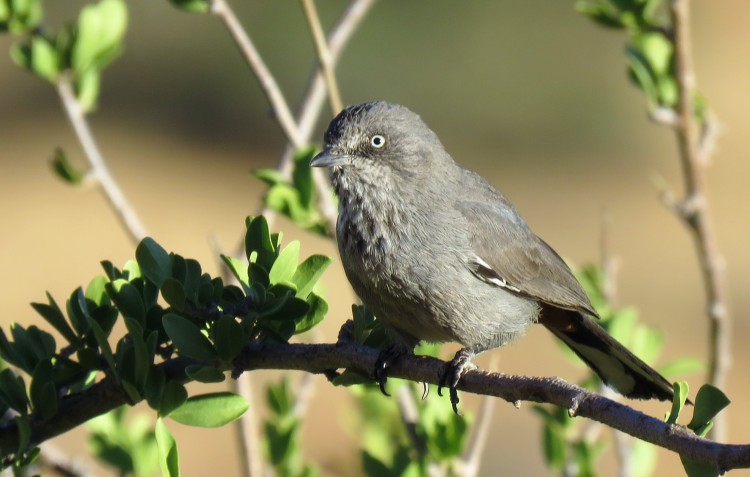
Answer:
(611, 361)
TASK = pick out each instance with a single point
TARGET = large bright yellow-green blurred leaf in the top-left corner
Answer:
(101, 28)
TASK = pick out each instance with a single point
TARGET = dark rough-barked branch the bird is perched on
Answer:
(322, 358)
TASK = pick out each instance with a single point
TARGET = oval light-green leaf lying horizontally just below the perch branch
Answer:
(210, 410)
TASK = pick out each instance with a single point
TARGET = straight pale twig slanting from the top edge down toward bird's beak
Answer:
(270, 87)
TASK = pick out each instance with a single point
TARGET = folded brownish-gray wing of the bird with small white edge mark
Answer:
(508, 254)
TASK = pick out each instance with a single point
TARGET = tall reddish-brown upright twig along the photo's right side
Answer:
(695, 211)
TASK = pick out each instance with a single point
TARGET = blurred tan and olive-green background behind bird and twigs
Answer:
(530, 94)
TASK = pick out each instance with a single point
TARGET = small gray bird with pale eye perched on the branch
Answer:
(438, 254)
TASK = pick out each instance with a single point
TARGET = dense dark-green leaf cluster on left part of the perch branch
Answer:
(170, 309)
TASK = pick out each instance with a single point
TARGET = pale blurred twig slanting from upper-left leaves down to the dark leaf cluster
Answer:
(99, 169)
